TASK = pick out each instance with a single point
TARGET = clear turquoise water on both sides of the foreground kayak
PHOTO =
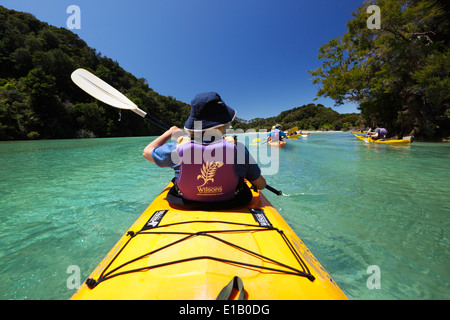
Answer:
(355, 205)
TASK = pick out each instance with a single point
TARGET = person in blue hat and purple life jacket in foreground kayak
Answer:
(209, 169)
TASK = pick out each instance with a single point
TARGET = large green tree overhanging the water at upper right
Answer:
(397, 74)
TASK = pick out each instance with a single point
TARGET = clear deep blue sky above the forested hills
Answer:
(254, 53)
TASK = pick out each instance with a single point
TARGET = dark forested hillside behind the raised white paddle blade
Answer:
(39, 101)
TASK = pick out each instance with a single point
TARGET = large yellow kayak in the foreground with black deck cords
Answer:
(173, 254)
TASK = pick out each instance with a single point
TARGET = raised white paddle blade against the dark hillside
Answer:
(102, 91)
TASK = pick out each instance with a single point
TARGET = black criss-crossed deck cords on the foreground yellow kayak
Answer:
(108, 274)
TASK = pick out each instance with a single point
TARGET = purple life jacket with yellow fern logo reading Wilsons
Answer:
(207, 171)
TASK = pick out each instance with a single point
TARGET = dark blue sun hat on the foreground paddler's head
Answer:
(209, 108)
